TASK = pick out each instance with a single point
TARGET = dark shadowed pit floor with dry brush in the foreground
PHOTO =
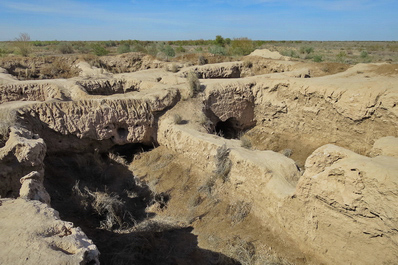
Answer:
(97, 192)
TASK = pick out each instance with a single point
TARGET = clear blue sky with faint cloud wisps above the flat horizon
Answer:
(189, 19)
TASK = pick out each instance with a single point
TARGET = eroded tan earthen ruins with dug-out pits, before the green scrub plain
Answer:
(269, 161)
